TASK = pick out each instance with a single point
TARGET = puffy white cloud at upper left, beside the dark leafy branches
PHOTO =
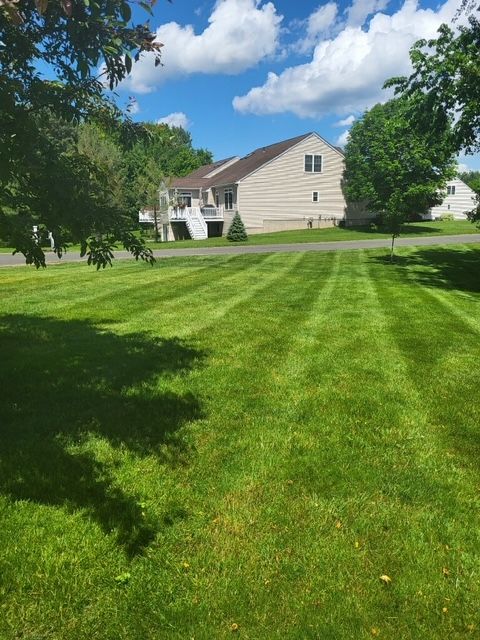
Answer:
(240, 34)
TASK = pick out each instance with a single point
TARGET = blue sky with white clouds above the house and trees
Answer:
(240, 74)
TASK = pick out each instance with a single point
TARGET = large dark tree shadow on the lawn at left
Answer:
(66, 382)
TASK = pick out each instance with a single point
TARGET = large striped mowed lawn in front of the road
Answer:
(242, 440)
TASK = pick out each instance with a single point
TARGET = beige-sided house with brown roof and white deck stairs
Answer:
(292, 184)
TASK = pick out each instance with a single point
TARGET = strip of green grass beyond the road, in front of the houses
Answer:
(319, 235)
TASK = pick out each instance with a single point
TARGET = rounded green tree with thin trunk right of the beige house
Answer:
(395, 170)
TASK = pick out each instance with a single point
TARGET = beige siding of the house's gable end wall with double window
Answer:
(281, 190)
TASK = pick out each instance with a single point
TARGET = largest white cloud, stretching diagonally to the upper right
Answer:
(347, 72)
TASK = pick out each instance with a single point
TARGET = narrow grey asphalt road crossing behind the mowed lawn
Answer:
(7, 260)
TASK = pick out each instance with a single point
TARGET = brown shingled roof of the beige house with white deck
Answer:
(236, 170)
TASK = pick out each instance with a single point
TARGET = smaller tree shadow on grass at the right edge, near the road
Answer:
(453, 268)
